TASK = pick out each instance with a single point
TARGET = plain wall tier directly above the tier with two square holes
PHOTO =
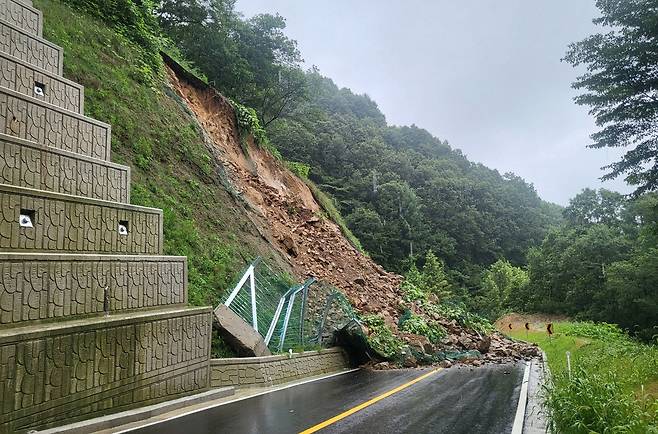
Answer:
(28, 164)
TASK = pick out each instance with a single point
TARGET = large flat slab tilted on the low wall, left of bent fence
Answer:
(238, 334)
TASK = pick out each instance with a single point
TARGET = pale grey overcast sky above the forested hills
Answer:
(485, 75)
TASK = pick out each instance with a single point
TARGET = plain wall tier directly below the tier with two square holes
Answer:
(43, 286)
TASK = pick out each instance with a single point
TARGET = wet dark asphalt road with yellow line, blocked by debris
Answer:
(455, 400)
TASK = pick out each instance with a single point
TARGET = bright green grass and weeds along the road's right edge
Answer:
(612, 388)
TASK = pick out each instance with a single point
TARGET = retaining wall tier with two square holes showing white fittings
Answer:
(55, 222)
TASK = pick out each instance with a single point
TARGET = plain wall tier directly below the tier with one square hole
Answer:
(31, 119)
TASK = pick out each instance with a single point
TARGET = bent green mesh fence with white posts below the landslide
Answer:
(288, 315)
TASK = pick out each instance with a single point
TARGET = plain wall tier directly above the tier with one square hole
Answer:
(30, 48)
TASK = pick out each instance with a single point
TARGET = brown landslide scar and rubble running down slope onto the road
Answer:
(288, 216)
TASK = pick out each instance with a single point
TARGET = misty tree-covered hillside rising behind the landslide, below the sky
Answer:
(401, 190)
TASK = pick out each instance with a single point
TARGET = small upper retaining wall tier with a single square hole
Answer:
(24, 78)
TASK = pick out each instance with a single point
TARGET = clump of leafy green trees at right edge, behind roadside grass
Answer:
(601, 265)
